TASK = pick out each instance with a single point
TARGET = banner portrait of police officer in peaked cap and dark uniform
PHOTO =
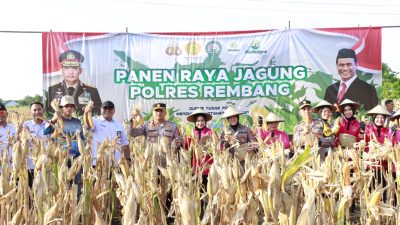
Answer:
(71, 85)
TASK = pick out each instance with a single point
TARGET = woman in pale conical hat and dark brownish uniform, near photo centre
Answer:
(236, 134)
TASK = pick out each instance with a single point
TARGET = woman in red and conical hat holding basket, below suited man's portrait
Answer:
(349, 127)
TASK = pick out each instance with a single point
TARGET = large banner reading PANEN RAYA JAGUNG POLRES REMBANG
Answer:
(255, 71)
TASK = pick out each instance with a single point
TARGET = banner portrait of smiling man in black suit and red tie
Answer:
(350, 86)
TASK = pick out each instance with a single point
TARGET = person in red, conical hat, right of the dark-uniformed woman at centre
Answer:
(272, 134)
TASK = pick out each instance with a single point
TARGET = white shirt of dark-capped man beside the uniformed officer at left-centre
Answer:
(107, 130)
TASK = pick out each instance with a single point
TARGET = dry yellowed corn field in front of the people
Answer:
(267, 188)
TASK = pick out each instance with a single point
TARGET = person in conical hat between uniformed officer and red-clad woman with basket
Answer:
(326, 132)
